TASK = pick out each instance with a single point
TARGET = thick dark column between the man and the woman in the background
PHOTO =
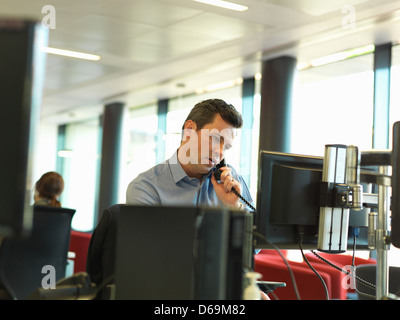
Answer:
(110, 156)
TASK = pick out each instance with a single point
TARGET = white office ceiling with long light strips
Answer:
(150, 48)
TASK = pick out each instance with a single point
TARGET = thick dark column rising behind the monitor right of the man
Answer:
(276, 103)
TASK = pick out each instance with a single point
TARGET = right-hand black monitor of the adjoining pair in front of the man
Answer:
(223, 253)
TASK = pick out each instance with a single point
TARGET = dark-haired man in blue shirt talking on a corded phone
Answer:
(187, 178)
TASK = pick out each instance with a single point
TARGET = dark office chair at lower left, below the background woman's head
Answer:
(22, 259)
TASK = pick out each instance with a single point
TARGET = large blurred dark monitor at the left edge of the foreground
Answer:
(21, 79)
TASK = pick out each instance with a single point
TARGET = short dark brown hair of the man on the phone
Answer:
(205, 111)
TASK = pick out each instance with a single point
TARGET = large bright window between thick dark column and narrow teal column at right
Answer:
(333, 104)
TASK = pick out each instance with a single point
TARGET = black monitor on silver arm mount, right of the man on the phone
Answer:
(288, 200)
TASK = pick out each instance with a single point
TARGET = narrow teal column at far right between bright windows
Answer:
(382, 64)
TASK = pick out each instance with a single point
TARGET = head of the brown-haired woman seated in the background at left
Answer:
(48, 189)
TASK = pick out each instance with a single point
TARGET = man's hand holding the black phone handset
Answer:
(224, 188)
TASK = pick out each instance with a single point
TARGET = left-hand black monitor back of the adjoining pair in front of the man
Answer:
(154, 257)
